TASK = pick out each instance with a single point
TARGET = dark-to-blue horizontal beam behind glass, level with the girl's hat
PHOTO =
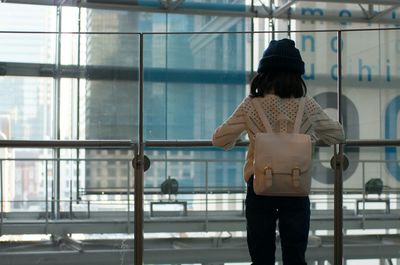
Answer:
(176, 75)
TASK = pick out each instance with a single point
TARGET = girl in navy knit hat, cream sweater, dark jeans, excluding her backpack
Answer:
(278, 86)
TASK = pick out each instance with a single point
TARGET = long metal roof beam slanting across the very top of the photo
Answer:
(231, 10)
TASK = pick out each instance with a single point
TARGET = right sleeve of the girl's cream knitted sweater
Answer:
(326, 129)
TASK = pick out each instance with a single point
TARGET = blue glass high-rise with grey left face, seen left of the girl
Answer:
(191, 83)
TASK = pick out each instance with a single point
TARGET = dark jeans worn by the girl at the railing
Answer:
(262, 213)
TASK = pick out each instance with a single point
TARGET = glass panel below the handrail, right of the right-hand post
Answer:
(371, 204)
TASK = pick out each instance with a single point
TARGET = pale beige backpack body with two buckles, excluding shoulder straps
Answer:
(282, 164)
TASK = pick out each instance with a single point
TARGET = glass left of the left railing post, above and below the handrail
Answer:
(82, 98)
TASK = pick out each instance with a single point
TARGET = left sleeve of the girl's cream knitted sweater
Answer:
(227, 133)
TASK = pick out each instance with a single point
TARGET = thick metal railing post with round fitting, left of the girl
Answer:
(138, 161)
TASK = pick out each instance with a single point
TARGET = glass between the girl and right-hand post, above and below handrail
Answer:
(320, 77)
